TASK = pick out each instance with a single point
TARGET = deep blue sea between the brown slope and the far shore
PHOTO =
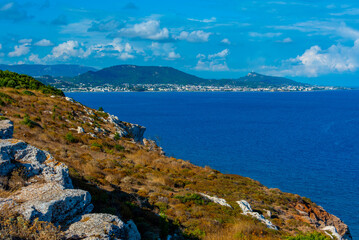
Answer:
(303, 142)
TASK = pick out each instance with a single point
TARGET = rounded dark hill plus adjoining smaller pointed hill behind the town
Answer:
(131, 74)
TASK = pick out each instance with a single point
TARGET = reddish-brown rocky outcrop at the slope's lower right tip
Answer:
(321, 219)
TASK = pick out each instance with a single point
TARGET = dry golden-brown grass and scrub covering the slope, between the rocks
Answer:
(133, 180)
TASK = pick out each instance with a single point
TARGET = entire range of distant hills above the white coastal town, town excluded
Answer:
(74, 75)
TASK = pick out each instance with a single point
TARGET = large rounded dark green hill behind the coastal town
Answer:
(132, 74)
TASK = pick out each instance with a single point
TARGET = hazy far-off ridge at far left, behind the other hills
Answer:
(35, 70)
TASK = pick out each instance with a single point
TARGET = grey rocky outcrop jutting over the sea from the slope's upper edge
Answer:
(124, 129)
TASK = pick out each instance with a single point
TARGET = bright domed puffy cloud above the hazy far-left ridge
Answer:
(67, 50)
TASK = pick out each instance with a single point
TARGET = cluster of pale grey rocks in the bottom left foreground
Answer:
(49, 194)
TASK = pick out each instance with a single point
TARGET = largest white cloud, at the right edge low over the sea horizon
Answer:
(315, 61)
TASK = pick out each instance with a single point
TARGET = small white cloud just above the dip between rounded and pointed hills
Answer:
(213, 62)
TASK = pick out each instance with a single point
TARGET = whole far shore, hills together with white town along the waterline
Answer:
(129, 78)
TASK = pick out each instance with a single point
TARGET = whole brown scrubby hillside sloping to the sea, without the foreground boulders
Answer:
(130, 177)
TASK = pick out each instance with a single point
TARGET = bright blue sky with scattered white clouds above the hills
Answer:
(310, 41)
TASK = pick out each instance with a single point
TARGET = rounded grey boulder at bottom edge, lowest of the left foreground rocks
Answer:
(102, 226)
